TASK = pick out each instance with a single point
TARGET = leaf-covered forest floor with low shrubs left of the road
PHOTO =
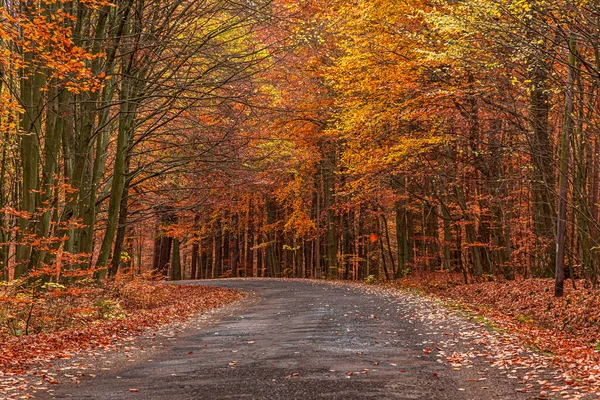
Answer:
(39, 329)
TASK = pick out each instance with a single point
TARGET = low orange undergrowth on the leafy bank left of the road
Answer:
(40, 321)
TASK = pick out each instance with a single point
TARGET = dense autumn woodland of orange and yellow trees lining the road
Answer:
(341, 139)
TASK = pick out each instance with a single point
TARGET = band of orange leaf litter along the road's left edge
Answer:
(37, 362)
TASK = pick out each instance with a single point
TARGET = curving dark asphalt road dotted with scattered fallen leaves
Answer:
(297, 339)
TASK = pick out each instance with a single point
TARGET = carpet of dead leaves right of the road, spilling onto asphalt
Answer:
(551, 346)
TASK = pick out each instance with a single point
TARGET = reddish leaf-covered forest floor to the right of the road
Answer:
(565, 332)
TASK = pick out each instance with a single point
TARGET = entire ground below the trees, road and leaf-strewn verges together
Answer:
(424, 337)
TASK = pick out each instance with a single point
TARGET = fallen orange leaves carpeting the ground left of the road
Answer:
(136, 307)
